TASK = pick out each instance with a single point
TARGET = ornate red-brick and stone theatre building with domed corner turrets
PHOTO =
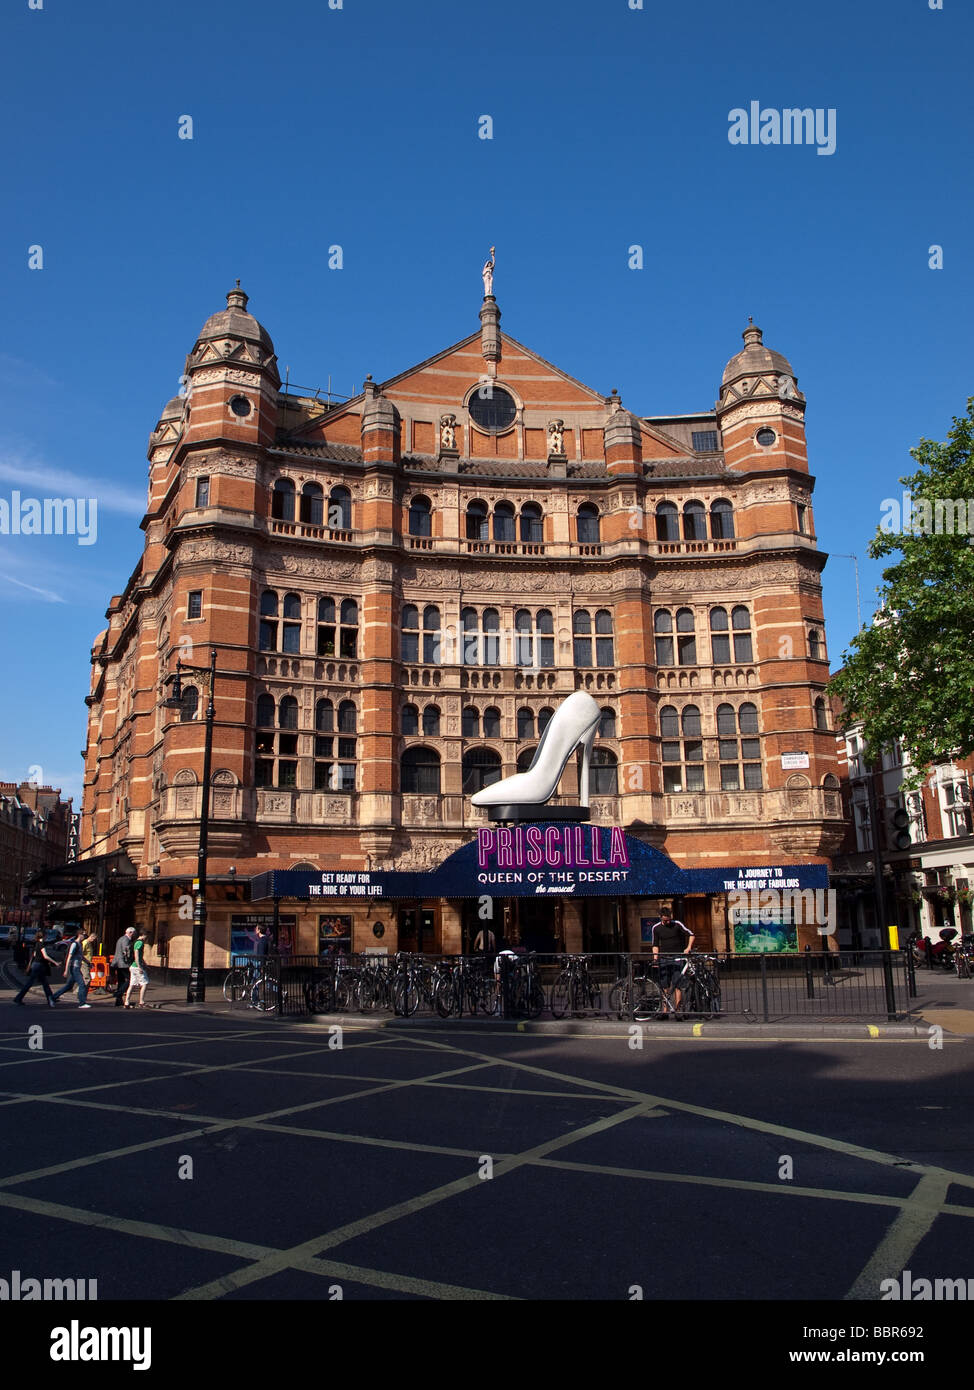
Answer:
(401, 590)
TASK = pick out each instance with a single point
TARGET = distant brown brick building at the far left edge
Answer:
(35, 833)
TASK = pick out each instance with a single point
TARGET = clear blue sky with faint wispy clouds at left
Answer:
(359, 127)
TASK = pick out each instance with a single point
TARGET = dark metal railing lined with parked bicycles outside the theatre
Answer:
(758, 988)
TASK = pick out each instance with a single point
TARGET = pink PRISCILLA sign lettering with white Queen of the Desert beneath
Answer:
(552, 858)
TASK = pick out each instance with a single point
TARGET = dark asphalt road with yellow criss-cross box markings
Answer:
(687, 1170)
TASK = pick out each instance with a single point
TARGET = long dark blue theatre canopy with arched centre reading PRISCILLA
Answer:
(533, 861)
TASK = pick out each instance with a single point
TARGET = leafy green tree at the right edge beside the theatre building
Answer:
(911, 676)
